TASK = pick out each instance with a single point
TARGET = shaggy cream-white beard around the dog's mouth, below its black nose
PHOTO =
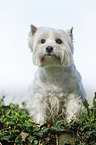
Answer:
(59, 57)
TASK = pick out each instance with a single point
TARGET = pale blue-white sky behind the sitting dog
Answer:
(16, 68)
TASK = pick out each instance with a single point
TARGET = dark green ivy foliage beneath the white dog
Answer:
(17, 128)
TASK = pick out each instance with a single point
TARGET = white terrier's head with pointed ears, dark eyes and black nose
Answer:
(51, 47)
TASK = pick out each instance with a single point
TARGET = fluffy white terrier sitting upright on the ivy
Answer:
(57, 89)
